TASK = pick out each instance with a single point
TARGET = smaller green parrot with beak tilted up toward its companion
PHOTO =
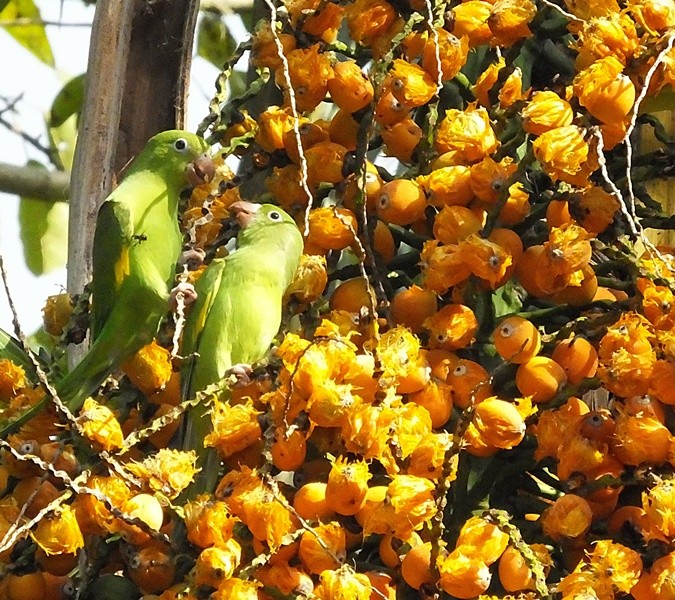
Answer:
(236, 315)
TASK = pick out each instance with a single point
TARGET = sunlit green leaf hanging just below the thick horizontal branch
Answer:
(44, 233)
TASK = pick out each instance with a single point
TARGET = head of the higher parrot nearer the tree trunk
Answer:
(181, 153)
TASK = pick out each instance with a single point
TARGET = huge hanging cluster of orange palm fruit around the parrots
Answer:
(471, 394)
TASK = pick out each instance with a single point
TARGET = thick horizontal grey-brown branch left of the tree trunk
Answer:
(34, 182)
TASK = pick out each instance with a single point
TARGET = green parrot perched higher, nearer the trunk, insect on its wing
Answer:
(137, 243)
